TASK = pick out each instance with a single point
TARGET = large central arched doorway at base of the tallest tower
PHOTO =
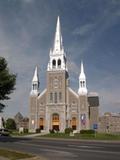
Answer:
(55, 121)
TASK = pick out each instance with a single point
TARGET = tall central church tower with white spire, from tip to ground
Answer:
(57, 80)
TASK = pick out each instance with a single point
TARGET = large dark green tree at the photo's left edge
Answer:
(7, 82)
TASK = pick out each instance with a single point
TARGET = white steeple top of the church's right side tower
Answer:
(82, 82)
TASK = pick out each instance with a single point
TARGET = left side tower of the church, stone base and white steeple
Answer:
(33, 124)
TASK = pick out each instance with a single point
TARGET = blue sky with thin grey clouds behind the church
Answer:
(91, 32)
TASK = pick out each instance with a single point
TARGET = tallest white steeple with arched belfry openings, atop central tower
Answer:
(57, 55)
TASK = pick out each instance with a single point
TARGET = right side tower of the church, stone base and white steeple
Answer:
(83, 100)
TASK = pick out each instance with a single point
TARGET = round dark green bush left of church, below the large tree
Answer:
(10, 124)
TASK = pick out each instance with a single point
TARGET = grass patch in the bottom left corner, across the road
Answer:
(14, 155)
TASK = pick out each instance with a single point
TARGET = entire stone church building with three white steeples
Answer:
(58, 106)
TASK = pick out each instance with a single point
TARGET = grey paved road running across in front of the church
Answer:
(64, 149)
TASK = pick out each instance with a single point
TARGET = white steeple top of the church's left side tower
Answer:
(35, 83)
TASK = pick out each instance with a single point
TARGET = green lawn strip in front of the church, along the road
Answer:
(98, 136)
